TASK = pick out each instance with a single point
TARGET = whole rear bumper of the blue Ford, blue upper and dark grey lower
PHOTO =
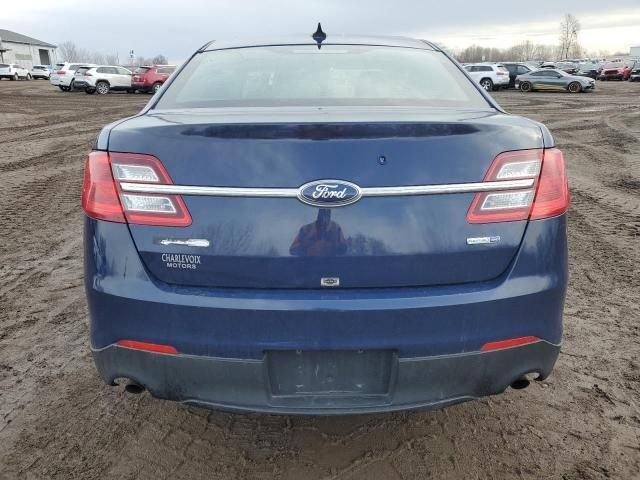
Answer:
(223, 335)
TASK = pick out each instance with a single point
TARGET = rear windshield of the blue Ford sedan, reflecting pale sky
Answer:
(335, 75)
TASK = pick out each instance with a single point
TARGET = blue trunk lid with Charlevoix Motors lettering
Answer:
(393, 241)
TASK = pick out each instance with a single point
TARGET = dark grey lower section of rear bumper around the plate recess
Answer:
(245, 385)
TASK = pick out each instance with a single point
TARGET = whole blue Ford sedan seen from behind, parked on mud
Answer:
(324, 225)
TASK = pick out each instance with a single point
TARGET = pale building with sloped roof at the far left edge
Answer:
(25, 51)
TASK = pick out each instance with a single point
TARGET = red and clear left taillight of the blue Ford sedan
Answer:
(103, 198)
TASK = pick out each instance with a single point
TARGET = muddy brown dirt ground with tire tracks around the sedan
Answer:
(57, 420)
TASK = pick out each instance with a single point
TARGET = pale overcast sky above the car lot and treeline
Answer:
(176, 28)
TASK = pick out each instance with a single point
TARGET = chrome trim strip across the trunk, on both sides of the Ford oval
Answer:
(293, 192)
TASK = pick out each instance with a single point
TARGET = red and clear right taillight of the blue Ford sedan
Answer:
(547, 196)
